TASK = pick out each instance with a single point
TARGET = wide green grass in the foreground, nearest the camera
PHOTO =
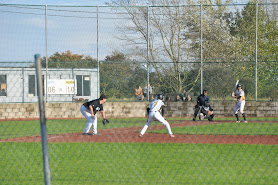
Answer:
(140, 163)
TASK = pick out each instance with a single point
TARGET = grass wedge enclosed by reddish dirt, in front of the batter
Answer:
(227, 129)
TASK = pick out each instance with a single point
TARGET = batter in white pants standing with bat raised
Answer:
(240, 97)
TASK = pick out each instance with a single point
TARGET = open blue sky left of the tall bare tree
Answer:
(23, 33)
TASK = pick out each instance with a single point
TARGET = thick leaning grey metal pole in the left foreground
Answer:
(46, 167)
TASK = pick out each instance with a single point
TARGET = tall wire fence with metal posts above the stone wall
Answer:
(172, 48)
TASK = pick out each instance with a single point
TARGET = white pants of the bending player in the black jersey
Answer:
(91, 120)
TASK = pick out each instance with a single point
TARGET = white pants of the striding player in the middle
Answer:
(156, 116)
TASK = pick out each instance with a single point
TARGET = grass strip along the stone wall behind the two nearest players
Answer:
(13, 129)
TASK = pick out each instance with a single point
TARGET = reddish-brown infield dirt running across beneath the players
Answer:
(131, 135)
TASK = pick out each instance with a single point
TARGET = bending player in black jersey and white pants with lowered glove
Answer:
(89, 110)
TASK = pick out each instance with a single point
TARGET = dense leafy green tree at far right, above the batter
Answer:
(244, 28)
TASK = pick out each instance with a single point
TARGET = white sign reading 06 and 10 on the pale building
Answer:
(61, 86)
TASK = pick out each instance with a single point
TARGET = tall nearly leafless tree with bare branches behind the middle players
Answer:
(164, 38)
